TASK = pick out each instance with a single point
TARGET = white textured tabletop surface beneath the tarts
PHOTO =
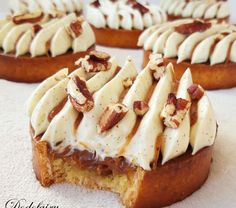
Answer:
(17, 179)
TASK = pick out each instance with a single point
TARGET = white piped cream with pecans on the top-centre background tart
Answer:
(123, 14)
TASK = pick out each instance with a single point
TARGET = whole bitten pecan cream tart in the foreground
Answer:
(144, 136)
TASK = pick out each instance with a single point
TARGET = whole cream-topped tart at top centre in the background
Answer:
(119, 23)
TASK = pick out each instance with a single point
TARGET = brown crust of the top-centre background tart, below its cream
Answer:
(117, 38)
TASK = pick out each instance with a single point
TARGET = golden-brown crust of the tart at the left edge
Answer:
(30, 70)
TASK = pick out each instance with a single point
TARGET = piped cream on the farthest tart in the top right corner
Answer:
(205, 9)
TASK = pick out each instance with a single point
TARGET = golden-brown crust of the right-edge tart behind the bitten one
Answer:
(218, 76)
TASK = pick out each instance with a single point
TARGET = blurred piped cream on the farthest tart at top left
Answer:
(51, 7)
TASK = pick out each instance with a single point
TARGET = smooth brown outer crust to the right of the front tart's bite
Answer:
(175, 180)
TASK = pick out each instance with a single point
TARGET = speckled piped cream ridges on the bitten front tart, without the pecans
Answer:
(133, 137)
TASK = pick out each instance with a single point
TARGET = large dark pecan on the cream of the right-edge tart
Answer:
(195, 26)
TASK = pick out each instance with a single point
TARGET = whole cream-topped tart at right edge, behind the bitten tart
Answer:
(208, 48)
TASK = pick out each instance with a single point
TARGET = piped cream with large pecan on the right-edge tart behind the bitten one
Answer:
(192, 40)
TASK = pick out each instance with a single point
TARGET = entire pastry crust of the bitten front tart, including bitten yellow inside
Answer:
(163, 186)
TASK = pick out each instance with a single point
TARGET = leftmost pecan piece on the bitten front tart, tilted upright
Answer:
(83, 102)
